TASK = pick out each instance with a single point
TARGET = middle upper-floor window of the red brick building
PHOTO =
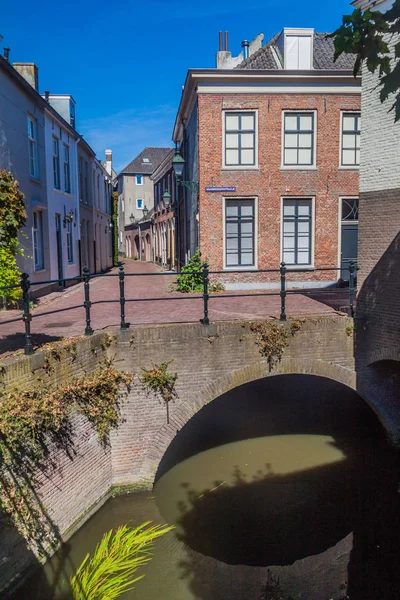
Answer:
(298, 149)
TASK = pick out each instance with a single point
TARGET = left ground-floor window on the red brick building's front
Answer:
(239, 233)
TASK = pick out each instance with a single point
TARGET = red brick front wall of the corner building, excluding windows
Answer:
(269, 183)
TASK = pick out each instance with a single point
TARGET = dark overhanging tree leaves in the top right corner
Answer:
(365, 34)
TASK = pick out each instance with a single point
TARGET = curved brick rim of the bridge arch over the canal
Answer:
(221, 385)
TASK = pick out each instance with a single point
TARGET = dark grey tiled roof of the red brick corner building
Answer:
(323, 56)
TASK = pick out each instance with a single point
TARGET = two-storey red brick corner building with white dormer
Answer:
(278, 129)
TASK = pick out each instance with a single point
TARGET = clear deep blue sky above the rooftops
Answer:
(125, 61)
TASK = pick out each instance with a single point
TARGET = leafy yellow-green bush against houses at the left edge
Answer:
(12, 219)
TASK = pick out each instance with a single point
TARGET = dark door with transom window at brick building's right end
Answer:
(349, 235)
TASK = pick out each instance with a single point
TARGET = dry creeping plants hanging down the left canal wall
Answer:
(31, 422)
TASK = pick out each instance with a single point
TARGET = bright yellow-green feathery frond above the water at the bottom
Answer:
(112, 569)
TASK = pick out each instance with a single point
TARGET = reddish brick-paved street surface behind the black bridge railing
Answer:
(176, 307)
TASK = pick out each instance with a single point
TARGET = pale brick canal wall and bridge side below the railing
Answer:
(209, 362)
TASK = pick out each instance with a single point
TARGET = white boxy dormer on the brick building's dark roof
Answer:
(298, 49)
